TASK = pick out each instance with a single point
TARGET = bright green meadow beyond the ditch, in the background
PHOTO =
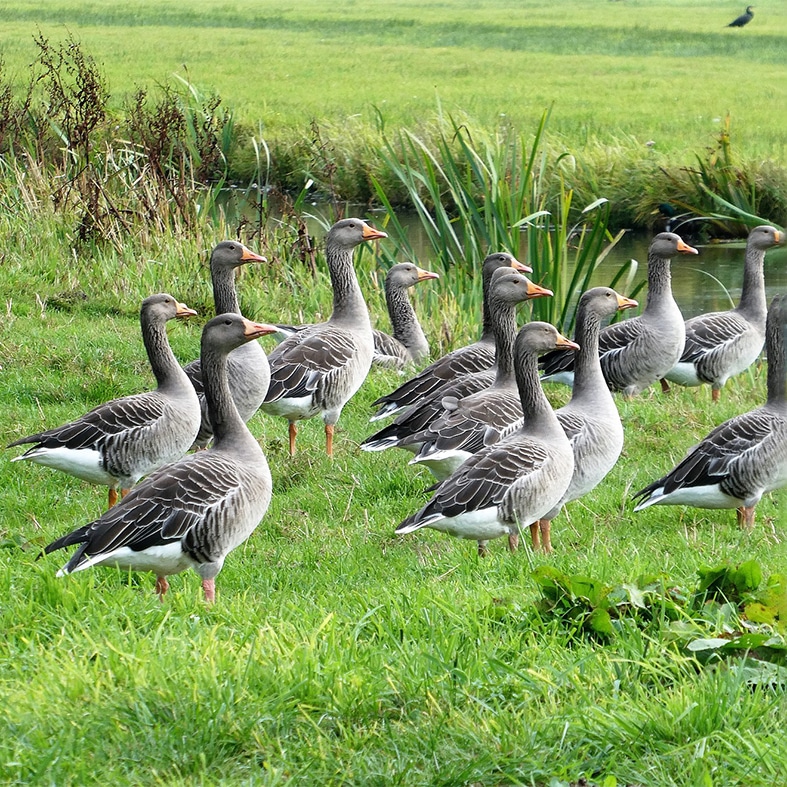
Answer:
(662, 70)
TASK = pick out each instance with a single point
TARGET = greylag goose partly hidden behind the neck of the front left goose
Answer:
(247, 366)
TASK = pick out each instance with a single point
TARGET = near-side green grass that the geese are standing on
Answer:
(337, 653)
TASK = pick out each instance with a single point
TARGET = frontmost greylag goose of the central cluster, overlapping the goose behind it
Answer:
(515, 482)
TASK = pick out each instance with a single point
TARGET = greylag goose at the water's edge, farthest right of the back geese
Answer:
(720, 345)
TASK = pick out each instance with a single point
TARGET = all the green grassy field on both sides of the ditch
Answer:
(337, 653)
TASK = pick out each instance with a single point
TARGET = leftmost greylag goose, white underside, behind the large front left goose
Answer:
(120, 441)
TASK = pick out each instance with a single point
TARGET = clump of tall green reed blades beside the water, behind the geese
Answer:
(474, 196)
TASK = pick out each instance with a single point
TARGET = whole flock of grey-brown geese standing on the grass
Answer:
(477, 418)
